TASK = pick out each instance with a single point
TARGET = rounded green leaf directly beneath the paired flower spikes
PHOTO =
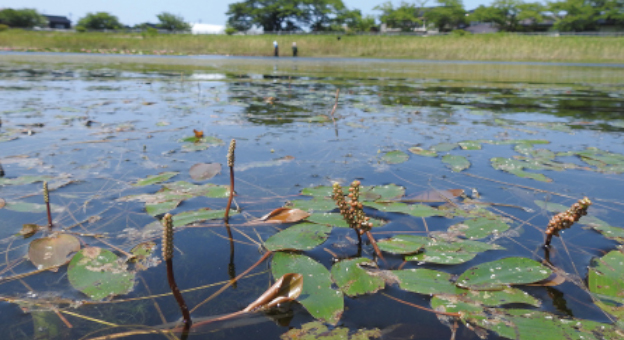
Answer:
(353, 280)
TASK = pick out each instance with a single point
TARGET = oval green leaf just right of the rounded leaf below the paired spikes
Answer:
(426, 281)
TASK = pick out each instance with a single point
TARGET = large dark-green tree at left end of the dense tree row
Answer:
(271, 15)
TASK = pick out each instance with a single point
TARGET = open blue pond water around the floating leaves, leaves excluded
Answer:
(97, 128)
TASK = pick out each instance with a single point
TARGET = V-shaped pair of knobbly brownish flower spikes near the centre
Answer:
(351, 210)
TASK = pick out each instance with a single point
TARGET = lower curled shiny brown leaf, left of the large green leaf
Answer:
(287, 288)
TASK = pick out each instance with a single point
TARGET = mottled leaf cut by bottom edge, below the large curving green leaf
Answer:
(316, 330)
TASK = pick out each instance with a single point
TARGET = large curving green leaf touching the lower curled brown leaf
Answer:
(318, 298)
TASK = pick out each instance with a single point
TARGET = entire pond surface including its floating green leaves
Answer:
(522, 141)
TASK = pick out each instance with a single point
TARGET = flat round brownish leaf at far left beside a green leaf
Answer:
(53, 250)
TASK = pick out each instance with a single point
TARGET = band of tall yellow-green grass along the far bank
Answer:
(482, 47)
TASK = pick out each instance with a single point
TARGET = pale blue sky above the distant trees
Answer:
(131, 12)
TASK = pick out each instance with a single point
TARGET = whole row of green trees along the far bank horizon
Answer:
(333, 15)
